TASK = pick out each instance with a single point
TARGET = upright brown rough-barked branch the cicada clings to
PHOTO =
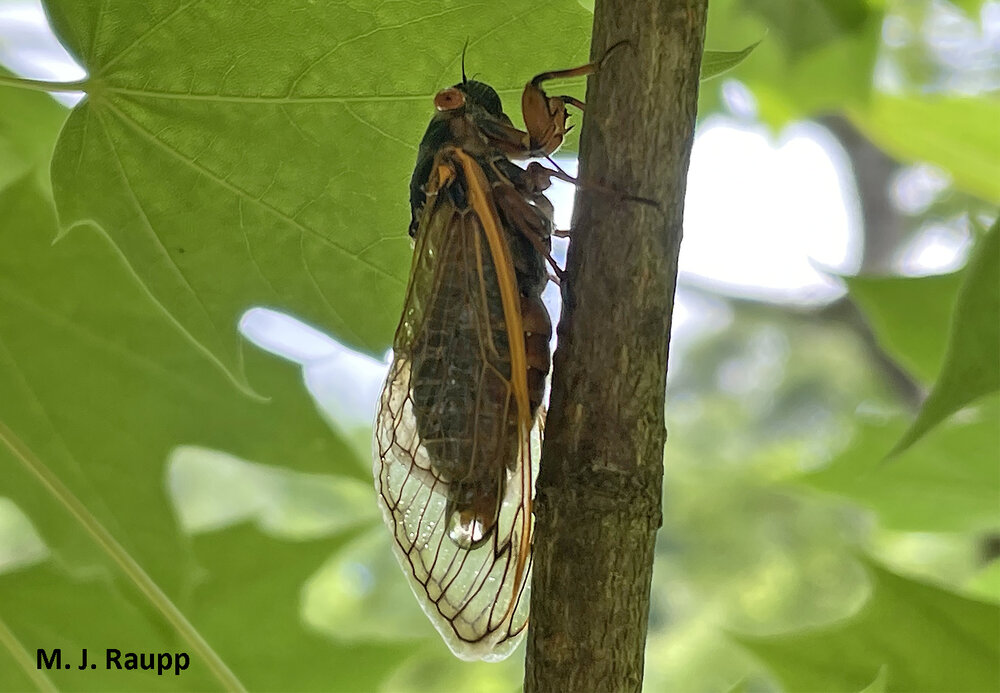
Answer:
(598, 494)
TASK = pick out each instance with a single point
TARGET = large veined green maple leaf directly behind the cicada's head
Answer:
(244, 156)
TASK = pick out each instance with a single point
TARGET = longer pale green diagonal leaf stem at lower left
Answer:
(121, 557)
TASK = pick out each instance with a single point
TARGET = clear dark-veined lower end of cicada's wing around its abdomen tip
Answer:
(474, 597)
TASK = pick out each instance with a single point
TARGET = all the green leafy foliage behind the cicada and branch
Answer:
(166, 486)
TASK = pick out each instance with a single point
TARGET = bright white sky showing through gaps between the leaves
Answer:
(764, 217)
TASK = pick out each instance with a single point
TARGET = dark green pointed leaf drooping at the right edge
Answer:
(972, 360)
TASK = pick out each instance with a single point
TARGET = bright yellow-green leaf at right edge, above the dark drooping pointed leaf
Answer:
(959, 134)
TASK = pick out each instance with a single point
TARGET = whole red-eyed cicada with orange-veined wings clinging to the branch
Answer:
(457, 428)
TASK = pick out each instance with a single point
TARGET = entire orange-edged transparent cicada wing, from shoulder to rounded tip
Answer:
(475, 593)
